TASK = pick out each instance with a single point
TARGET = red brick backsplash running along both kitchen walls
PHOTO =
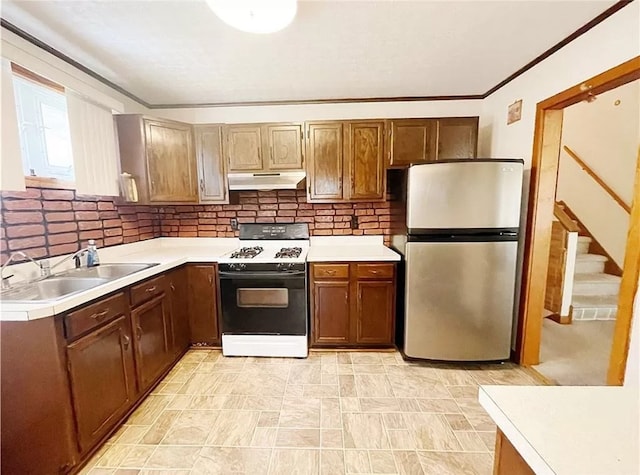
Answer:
(47, 222)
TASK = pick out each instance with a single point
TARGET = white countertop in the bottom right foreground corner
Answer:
(569, 429)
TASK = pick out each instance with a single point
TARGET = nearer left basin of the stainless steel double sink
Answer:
(53, 288)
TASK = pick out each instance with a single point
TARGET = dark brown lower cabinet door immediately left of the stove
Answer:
(203, 308)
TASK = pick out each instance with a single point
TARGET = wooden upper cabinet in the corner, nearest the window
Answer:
(160, 156)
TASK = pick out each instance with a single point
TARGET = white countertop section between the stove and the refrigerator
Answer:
(350, 248)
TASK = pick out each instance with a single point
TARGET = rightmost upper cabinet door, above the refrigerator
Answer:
(457, 138)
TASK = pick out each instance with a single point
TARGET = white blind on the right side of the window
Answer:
(93, 141)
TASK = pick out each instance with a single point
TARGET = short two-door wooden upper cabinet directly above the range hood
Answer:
(263, 147)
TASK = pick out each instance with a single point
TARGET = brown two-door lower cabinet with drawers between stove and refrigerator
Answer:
(353, 304)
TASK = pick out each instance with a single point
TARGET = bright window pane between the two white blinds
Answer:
(43, 125)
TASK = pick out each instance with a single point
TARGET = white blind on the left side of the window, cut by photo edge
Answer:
(11, 171)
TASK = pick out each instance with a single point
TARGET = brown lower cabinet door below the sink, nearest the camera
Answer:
(102, 380)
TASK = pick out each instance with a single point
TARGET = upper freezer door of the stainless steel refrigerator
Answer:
(464, 195)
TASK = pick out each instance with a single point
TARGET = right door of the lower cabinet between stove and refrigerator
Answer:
(375, 304)
